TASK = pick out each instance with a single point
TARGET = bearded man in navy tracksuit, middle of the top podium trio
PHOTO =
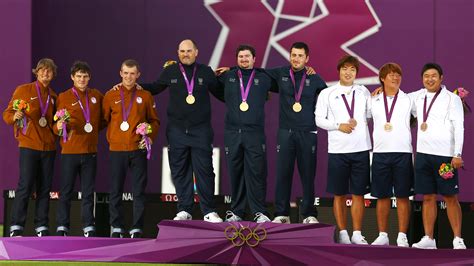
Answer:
(246, 90)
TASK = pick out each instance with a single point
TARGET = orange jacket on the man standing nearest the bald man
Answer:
(142, 110)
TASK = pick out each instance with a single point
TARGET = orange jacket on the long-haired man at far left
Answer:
(36, 137)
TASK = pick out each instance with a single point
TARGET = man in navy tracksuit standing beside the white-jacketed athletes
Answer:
(297, 137)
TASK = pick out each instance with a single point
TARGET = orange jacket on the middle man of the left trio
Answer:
(79, 141)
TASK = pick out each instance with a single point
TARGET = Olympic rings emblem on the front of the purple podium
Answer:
(245, 235)
